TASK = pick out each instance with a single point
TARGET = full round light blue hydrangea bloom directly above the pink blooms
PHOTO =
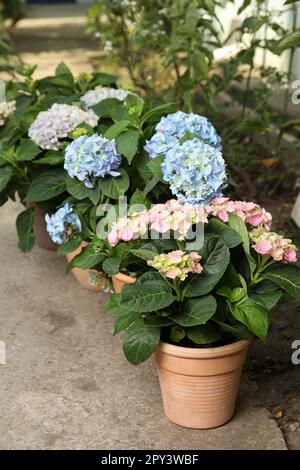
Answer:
(196, 171)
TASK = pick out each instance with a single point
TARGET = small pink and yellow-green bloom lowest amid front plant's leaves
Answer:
(177, 264)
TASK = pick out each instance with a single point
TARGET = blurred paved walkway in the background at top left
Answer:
(50, 34)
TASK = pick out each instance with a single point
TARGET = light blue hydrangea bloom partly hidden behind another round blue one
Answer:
(173, 127)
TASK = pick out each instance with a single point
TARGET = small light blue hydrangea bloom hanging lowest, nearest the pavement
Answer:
(63, 224)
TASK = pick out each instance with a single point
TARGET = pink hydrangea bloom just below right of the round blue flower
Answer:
(249, 212)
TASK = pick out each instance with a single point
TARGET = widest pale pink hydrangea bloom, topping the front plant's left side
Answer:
(172, 216)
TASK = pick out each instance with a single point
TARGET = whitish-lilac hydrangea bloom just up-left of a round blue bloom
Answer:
(54, 124)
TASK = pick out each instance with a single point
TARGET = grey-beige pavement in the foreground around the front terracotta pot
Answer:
(66, 384)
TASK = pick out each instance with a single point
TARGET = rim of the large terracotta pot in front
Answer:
(203, 353)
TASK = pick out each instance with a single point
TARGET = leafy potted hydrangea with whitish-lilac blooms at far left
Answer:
(44, 117)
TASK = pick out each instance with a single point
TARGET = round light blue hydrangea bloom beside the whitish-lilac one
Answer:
(91, 156)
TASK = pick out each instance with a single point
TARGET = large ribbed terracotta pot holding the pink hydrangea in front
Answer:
(199, 386)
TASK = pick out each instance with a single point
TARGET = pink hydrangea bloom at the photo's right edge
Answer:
(274, 245)
